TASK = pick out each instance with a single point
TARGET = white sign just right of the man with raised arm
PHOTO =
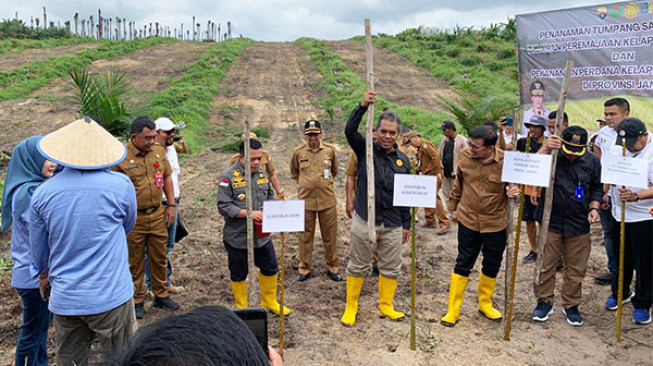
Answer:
(415, 190)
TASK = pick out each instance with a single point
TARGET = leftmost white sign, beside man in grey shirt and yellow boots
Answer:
(283, 216)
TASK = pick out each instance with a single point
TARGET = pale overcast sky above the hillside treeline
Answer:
(287, 20)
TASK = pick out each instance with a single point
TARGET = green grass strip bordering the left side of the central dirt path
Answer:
(189, 97)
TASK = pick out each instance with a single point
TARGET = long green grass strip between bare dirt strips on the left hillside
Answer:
(22, 81)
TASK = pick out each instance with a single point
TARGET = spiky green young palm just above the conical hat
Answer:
(99, 97)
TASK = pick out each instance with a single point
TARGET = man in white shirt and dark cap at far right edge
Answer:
(638, 242)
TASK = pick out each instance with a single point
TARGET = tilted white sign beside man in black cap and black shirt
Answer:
(529, 169)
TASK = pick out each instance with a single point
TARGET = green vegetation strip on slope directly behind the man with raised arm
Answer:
(346, 89)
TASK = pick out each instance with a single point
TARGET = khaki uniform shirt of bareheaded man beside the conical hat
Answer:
(141, 168)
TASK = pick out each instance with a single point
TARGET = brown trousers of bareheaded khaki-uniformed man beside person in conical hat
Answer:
(151, 233)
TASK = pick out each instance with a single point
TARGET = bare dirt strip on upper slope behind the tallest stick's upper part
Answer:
(396, 79)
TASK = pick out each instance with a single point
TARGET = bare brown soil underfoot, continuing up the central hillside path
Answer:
(262, 85)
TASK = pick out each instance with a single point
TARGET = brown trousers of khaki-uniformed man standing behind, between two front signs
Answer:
(329, 229)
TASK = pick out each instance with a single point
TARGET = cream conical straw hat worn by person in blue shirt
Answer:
(82, 144)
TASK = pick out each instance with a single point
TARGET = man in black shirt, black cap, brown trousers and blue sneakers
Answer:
(576, 199)
